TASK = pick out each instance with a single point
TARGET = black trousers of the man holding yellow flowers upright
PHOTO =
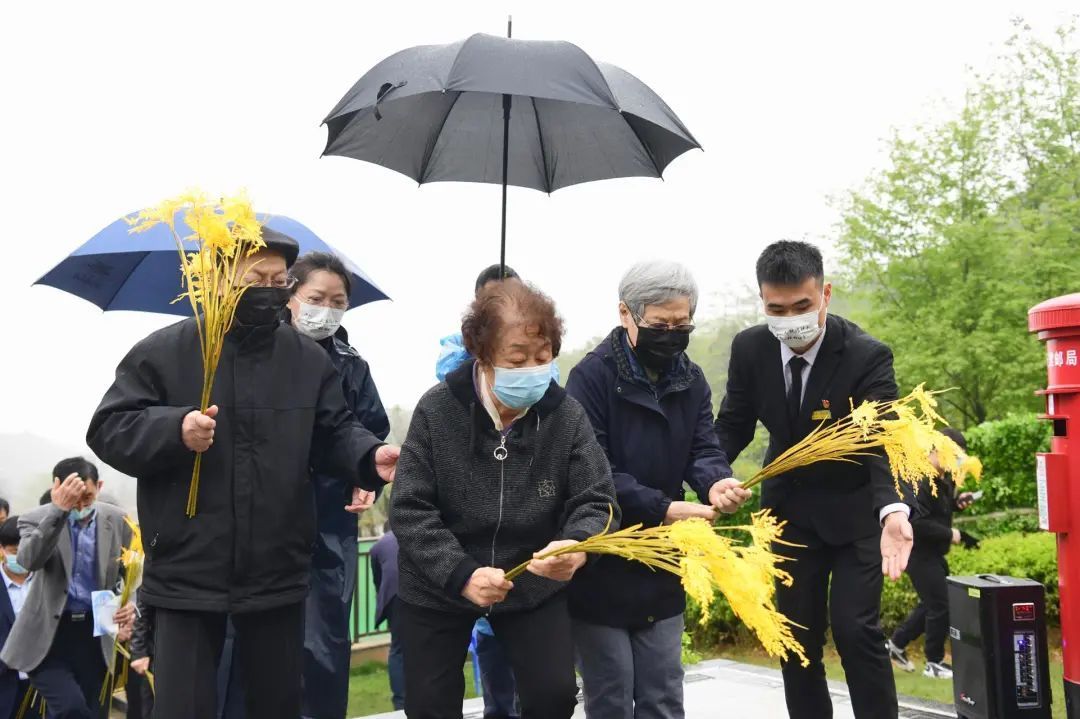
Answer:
(188, 648)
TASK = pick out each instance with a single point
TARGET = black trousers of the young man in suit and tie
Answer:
(840, 586)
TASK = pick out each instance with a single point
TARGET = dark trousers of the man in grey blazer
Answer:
(72, 675)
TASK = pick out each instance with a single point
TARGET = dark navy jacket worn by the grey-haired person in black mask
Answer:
(658, 438)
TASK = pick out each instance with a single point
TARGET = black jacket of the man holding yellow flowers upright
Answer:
(281, 413)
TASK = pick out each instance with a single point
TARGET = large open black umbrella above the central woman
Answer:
(490, 110)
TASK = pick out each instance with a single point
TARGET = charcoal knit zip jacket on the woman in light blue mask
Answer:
(456, 508)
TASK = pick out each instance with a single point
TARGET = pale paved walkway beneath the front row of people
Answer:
(722, 690)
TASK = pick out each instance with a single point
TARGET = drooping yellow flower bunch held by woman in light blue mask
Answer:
(709, 562)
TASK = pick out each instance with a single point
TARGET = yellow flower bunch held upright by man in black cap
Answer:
(224, 233)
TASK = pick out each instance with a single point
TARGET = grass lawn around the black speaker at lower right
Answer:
(909, 684)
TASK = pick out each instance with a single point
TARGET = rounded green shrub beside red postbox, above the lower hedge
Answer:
(1007, 449)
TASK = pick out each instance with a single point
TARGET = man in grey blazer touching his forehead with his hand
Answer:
(72, 545)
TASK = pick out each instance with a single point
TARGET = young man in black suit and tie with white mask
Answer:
(800, 370)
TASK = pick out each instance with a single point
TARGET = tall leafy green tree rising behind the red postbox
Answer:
(975, 222)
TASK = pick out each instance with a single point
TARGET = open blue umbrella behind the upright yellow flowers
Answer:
(117, 270)
